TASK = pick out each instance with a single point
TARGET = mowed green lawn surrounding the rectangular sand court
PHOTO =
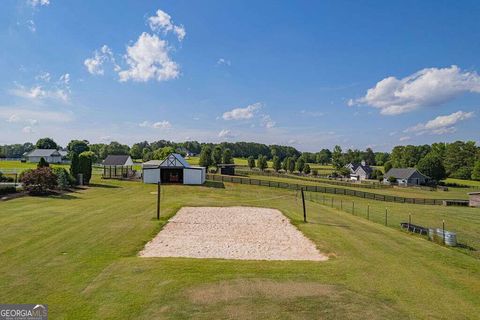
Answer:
(78, 254)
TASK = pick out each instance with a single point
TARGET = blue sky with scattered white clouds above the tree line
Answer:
(305, 73)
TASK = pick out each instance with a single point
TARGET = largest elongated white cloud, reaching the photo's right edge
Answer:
(427, 87)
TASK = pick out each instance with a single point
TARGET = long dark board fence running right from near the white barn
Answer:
(331, 190)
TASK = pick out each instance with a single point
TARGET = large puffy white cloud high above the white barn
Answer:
(148, 59)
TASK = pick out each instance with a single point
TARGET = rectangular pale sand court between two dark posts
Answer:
(244, 233)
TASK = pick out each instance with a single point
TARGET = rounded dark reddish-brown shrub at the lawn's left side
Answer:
(39, 181)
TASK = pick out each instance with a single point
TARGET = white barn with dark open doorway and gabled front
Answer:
(173, 169)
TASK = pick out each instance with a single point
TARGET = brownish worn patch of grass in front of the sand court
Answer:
(227, 291)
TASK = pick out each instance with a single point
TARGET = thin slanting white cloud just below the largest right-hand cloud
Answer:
(441, 124)
